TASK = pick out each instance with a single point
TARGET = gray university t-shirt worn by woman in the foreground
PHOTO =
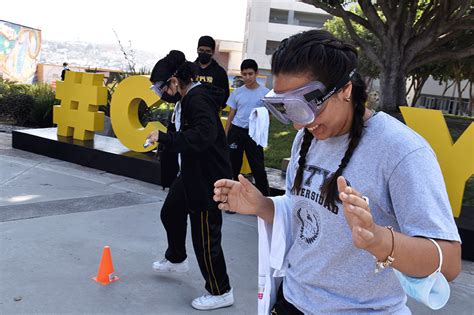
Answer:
(397, 169)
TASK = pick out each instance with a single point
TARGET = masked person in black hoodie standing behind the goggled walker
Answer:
(209, 70)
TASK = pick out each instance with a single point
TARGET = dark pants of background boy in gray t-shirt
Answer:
(240, 141)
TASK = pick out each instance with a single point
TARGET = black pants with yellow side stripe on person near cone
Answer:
(206, 234)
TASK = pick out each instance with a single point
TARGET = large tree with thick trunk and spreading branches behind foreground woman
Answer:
(401, 36)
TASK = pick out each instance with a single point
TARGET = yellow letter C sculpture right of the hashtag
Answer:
(124, 112)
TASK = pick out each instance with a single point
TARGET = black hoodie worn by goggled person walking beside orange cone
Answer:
(202, 144)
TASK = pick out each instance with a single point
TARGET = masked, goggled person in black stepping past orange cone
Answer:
(199, 139)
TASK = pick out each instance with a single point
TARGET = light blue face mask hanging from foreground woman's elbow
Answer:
(433, 290)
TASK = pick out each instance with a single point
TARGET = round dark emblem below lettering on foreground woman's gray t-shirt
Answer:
(308, 222)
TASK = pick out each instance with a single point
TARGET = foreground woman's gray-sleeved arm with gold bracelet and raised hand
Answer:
(421, 206)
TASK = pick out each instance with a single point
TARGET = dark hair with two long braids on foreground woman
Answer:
(324, 58)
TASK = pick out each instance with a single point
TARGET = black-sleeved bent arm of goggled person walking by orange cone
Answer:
(202, 132)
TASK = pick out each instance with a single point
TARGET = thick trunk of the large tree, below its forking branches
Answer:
(392, 89)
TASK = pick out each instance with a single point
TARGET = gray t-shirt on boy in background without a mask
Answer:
(244, 100)
